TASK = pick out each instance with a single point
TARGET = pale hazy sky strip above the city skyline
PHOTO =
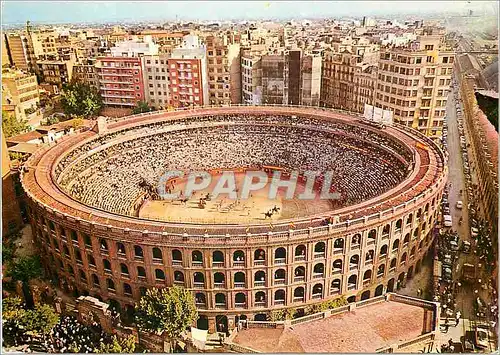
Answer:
(100, 11)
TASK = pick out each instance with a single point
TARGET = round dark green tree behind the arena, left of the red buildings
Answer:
(79, 99)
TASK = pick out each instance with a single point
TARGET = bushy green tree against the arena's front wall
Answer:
(169, 310)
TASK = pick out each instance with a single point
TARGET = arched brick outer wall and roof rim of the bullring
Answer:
(370, 248)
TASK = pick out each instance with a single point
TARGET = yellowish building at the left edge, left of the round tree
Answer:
(20, 96)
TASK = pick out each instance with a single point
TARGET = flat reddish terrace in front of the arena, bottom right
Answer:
(363, 330)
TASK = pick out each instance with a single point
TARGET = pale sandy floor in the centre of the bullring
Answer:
(226, 210)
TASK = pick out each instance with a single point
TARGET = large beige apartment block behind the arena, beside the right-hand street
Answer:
(414, 81)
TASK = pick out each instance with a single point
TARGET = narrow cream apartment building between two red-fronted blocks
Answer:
(156, 80)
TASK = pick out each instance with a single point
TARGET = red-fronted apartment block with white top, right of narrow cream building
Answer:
(188, 75)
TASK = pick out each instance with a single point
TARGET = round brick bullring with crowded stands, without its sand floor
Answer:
(93, 241)
